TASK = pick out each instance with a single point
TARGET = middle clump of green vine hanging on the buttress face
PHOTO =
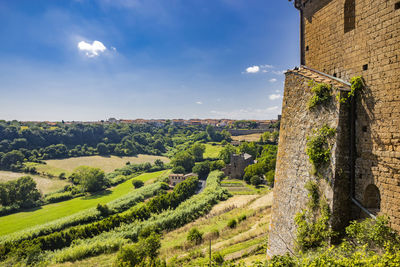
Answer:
(318, 149)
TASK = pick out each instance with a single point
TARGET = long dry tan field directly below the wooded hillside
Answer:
(107, 163)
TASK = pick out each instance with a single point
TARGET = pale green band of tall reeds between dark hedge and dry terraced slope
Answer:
(186, 212)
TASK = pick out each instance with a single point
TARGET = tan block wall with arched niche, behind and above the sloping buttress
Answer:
(371, 49)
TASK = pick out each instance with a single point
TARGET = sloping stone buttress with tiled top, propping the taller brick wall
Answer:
(293, 167)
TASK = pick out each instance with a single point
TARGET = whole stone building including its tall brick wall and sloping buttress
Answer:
(341, 39)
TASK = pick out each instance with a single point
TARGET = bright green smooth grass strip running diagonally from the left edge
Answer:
(22, 220)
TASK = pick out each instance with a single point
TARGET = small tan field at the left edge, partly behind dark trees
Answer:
(44, 185)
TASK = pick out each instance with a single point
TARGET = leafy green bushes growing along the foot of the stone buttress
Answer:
(368, 243)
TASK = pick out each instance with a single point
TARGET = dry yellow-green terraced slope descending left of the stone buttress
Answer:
(243, 244)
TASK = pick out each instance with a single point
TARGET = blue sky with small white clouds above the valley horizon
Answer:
(95, 59)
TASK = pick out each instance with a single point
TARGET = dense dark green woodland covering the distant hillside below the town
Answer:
(34, 142)
